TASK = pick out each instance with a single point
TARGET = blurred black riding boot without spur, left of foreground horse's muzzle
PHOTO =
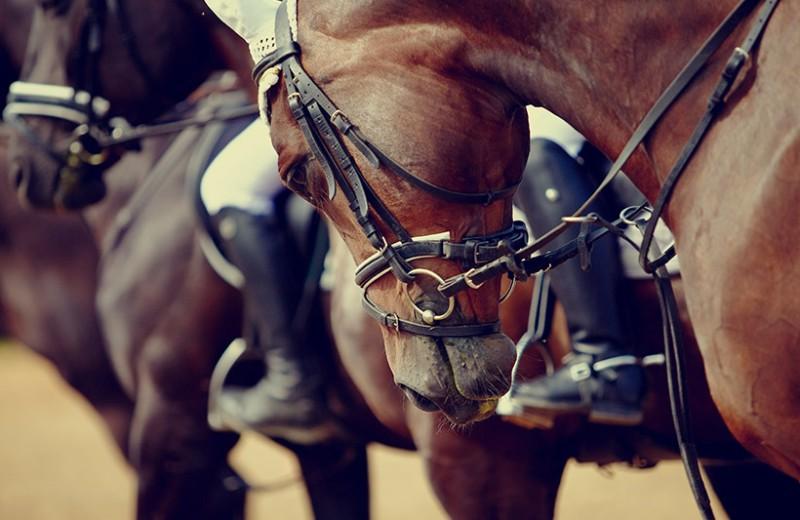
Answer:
(289, 401)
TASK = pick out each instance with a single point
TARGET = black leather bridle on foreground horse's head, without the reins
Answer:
(322, 123)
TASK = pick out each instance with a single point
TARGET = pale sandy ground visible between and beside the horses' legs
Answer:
(57, 462)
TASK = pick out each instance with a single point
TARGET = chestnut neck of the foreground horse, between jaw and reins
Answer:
(601, 65)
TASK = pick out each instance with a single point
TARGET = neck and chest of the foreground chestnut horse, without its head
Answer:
(731, 213)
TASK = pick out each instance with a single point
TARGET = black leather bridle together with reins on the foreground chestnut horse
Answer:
(317, 115)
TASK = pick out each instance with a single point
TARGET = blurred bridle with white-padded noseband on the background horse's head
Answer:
(96, 136)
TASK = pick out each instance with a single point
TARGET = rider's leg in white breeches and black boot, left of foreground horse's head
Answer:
(240, 190)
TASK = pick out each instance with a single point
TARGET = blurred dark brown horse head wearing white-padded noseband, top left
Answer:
(134, 61)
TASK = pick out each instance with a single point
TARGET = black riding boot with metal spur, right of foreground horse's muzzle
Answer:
(599, 378)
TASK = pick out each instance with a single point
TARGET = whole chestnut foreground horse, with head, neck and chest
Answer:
(441, 88)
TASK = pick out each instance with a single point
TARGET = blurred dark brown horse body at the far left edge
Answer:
(47, 288)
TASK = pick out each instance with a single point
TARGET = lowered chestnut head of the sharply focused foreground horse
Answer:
(417, 98)
